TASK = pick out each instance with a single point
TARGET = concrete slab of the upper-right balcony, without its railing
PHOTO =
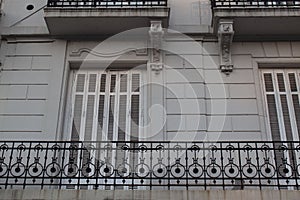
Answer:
(261, 23)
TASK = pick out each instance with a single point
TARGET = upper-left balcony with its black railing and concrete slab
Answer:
(102, 17)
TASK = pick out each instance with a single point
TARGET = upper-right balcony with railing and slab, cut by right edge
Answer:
(259, 19)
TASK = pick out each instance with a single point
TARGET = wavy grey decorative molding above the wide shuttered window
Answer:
(138, 52)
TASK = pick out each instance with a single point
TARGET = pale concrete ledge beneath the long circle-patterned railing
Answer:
(30, 194)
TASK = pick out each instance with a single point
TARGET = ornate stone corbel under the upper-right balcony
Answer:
(225, 35)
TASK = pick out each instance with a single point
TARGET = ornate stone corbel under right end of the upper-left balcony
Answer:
(156, 36)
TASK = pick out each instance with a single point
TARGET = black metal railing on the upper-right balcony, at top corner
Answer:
(255, 4)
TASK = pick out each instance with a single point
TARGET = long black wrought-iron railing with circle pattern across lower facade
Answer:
(150, 165)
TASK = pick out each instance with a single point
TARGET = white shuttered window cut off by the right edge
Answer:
(282, 89)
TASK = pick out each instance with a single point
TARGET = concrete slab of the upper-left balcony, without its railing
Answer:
(101, 21)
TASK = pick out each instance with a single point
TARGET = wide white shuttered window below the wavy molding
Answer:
(106, 106)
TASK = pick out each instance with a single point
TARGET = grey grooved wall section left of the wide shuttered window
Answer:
(30, 88)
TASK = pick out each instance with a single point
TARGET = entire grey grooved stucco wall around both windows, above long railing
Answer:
(197, 96)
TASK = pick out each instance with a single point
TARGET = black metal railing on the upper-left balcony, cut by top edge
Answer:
(106, 3)
